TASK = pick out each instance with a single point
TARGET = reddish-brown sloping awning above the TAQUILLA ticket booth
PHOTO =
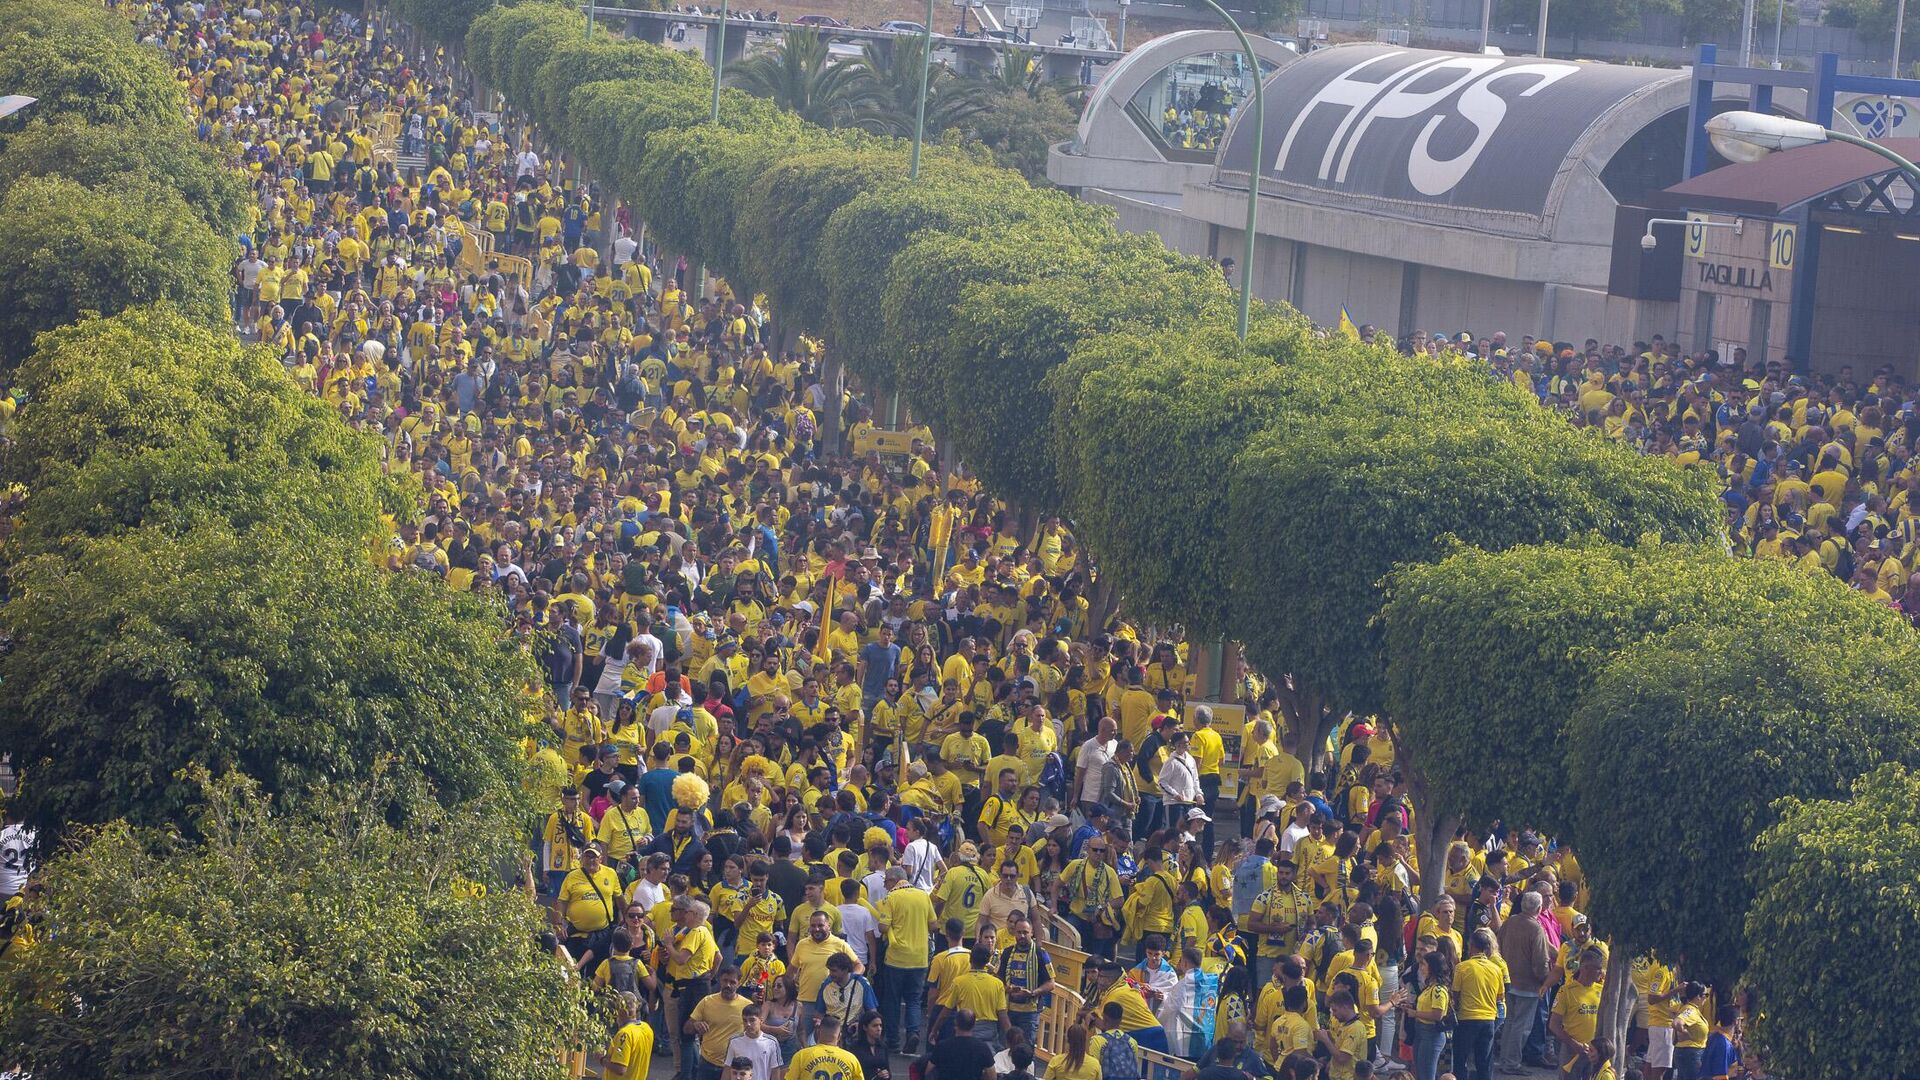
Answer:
(1783, 182)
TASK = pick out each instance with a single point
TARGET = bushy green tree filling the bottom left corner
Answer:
(308, 945)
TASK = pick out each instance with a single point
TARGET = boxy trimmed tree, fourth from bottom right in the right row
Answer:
(1355, 481)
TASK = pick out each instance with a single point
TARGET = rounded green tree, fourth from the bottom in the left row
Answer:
(68, 249)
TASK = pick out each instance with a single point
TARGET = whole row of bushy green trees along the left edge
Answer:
(268, 775)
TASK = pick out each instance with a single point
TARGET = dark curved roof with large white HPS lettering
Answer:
(1481, 141)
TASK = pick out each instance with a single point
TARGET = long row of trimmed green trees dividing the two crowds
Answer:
(1550, 624)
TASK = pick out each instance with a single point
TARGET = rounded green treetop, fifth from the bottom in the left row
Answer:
(108, 157)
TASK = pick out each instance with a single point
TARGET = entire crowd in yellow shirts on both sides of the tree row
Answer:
(836, 758)
